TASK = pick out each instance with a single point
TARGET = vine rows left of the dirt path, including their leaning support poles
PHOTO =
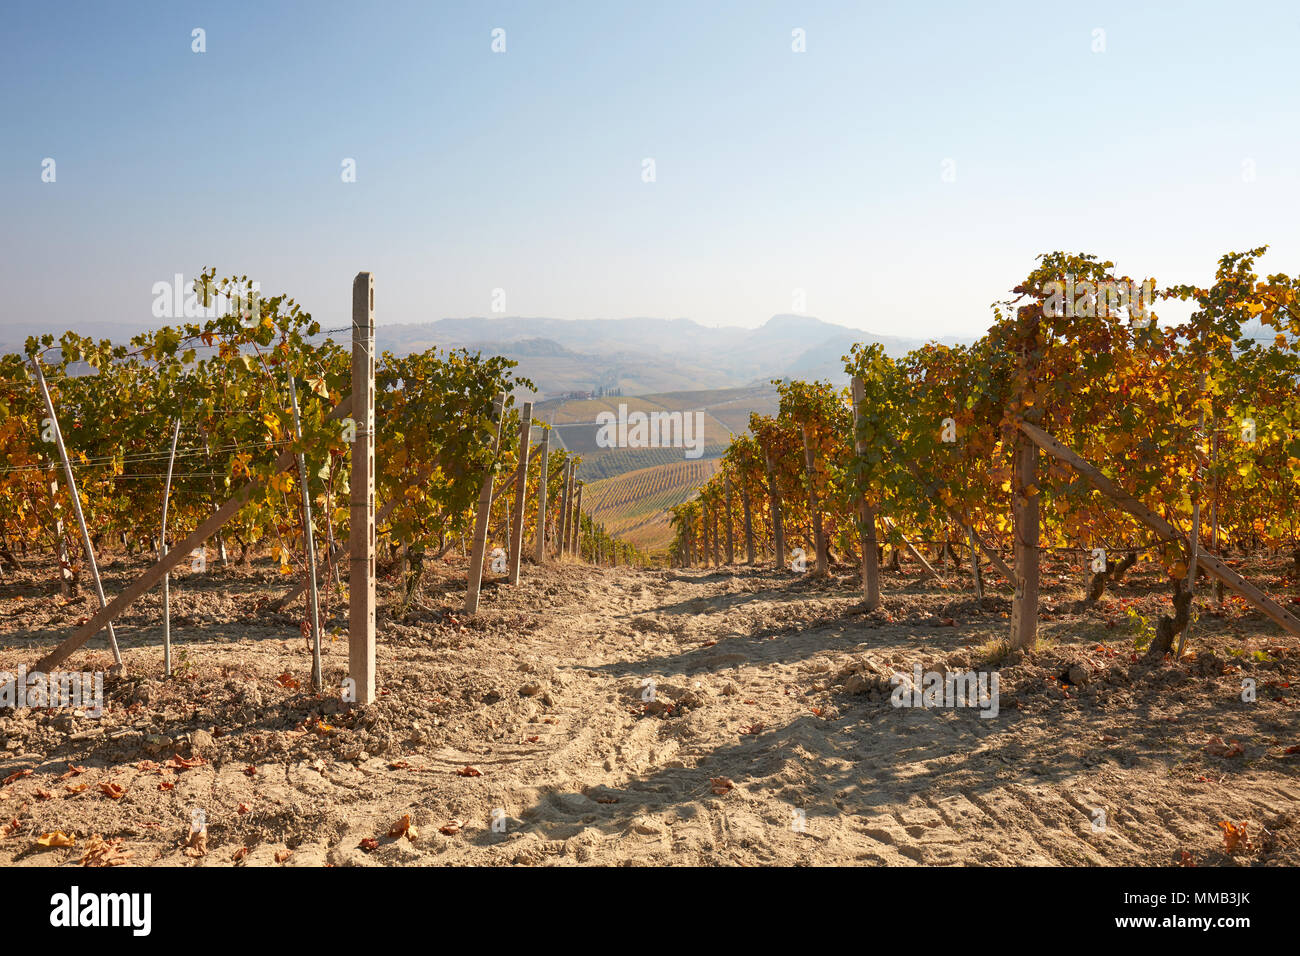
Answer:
(253, 392)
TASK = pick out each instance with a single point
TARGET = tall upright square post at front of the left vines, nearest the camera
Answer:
(362, 531)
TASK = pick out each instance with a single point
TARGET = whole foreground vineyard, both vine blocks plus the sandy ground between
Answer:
(356, 609)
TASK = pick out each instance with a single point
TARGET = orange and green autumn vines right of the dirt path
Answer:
(1077, 426)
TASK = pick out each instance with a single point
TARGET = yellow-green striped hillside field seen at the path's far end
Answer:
(636, 507)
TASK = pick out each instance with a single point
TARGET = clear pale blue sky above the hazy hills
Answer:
(822, 171)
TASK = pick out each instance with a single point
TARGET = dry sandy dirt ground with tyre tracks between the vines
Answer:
(768, 737)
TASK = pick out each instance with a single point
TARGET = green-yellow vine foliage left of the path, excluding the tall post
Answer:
(231, 382)
